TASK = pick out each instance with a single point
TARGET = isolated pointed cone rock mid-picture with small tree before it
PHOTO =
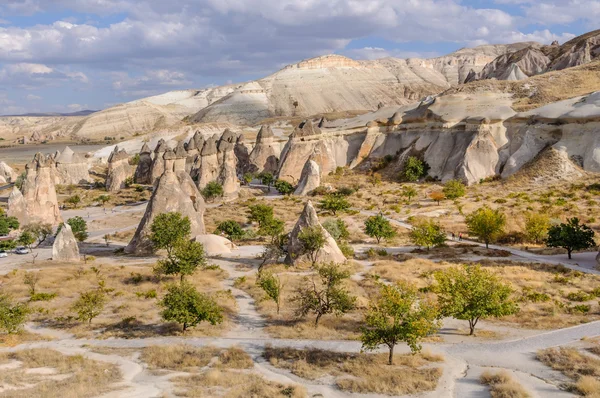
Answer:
(329, 253)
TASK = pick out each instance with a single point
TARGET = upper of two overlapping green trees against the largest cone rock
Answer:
(168, 229)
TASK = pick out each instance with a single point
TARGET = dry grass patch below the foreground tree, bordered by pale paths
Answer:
(361, 373)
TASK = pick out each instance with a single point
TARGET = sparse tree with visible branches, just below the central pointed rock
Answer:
(326, 295)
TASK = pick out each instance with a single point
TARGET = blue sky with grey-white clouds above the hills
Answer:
(68, 55)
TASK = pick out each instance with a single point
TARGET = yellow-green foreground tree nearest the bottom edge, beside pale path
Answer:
(400, 314)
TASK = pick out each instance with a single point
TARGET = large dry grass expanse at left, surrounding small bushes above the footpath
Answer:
(131, 310)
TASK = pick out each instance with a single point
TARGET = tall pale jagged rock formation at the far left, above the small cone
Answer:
(38, 202)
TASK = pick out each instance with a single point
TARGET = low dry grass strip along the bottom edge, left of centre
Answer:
(230, 384)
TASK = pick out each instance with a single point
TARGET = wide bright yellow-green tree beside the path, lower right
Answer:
(472, 293)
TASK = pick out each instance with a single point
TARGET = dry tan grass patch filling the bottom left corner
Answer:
(70, 377)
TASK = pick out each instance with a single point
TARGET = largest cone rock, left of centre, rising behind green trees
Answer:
(168, 196)
